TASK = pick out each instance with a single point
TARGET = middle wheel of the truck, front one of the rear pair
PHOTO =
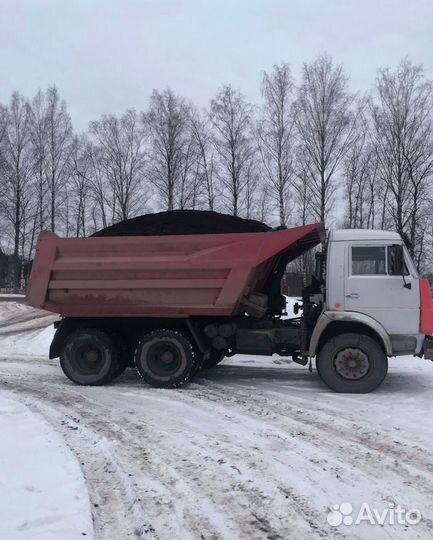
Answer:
(165, 359)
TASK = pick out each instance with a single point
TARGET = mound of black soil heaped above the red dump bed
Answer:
(183, 222)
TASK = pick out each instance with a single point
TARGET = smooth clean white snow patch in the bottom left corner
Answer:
(43, 495)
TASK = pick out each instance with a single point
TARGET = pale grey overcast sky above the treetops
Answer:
(108, 55)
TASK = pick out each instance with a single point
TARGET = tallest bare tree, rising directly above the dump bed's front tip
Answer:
(325, 126)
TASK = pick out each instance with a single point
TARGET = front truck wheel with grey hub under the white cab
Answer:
(352, 363)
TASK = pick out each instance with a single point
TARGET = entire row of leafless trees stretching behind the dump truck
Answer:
(312, 150)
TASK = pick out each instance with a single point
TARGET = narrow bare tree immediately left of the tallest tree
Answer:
(275, 136)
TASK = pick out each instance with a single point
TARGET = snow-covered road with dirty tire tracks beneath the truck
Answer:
(256, 448)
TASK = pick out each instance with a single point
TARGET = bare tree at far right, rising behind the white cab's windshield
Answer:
(403, 137)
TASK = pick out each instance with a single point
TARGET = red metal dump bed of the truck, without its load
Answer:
(165, 276)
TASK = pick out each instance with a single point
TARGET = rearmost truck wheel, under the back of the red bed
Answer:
(90, 357)
